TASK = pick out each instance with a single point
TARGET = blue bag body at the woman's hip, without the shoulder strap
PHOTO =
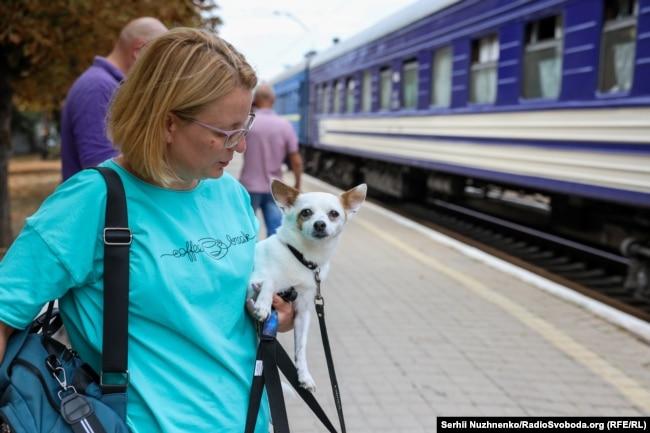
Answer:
(46, 387)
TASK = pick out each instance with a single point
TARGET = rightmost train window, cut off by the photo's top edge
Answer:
(618, 46)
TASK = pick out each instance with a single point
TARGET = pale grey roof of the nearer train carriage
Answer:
(396, 21)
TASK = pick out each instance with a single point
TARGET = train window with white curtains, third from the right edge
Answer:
(483, 80)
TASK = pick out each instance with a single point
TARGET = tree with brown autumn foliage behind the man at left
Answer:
(46, 44)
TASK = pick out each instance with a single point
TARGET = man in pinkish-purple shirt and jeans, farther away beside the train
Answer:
(268, 144)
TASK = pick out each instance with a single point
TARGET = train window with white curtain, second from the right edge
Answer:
(543, 58)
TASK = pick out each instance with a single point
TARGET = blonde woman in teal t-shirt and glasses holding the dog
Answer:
(178, 119)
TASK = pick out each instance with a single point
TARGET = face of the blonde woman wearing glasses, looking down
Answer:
(195, 152)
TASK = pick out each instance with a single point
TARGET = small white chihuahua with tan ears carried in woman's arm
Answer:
(299, 253)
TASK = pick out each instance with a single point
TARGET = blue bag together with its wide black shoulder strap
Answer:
(44, 386)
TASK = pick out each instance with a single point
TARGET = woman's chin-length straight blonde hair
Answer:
(179, 72)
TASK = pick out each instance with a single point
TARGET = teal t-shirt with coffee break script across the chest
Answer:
(191, 344)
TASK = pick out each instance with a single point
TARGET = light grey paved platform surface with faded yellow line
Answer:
(419, 330)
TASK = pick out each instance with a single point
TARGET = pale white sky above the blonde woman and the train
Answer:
(276, 34)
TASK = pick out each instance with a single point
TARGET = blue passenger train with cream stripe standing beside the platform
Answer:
(536, 104)
